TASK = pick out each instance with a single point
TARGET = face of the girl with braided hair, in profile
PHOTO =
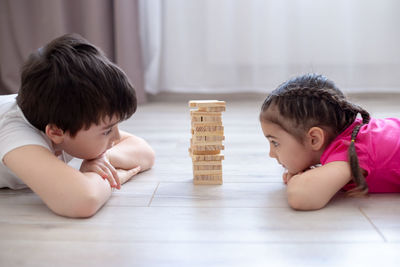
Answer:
(287, 150)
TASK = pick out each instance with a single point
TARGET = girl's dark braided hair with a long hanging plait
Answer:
(313, 100)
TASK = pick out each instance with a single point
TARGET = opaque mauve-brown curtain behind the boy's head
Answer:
(111, 25)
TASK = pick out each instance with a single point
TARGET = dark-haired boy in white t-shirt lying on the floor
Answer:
(69, 105)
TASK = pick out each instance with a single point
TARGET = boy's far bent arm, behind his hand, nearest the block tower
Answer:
(131, 151)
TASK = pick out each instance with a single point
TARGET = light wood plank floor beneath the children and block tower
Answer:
(160, 218)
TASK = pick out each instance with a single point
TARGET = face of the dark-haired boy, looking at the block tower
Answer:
(93, 142)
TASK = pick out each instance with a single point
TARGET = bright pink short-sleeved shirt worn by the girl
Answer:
(378, 150)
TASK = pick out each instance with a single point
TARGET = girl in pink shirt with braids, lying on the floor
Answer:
(308, 122)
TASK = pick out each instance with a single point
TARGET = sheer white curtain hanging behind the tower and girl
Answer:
(254, 45)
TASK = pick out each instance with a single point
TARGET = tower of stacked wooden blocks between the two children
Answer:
(207, 141)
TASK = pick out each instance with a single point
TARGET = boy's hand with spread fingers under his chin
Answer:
(102, 167)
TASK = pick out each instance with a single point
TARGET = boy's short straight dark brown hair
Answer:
(71, 83)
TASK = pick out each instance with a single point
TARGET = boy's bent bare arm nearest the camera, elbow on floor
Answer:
(65, 190)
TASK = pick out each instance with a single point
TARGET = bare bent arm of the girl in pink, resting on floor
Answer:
(314, 188)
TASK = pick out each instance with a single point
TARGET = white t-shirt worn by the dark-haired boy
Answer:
(16, 131)
